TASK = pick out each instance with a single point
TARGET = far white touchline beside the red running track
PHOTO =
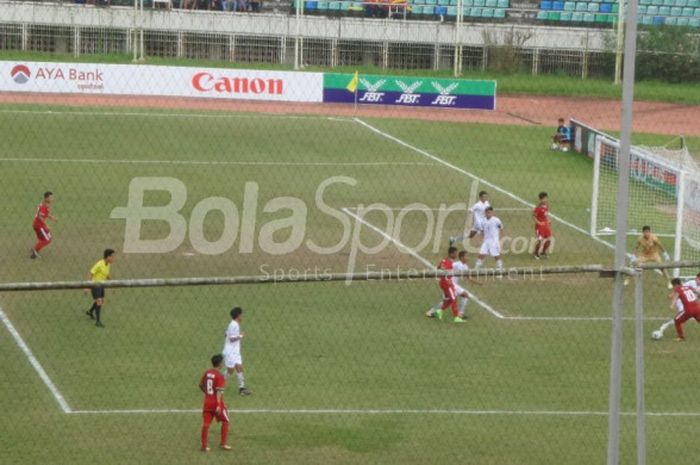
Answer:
(176, 115)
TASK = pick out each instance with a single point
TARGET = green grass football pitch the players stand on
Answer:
(347, 374)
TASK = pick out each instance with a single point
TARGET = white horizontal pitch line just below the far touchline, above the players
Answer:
(97, 161)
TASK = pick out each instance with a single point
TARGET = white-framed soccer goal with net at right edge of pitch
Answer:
(664, 193)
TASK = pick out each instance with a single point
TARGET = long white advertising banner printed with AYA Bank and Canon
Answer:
(172, 81)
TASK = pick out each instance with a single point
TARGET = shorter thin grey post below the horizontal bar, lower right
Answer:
(639, 367)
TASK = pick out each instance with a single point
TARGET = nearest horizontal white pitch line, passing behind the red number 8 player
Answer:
(263, 411)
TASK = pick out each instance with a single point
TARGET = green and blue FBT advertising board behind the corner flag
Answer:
(409, 91)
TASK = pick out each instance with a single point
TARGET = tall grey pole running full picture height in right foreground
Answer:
(621, 238)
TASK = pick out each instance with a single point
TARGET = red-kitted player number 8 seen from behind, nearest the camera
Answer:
(212, 385)
